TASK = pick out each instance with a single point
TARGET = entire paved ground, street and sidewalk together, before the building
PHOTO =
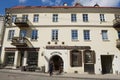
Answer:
(18, 75)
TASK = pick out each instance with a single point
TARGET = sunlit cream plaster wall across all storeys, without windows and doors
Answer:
(64, 35)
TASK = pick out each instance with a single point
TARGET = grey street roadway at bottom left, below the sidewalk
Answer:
(13, 76)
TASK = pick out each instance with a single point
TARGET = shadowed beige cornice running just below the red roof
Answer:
(65, 10)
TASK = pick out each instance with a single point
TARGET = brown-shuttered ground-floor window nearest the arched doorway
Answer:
(75, 58)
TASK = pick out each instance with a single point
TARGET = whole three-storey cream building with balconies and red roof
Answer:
(76, 39)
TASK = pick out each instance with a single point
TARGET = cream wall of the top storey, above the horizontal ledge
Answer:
(65, 19)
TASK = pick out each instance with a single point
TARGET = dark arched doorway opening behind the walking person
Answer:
(58, 63)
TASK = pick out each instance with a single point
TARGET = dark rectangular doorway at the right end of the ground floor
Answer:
(106, 62)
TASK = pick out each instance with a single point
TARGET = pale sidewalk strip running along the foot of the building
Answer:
(66, 75)
